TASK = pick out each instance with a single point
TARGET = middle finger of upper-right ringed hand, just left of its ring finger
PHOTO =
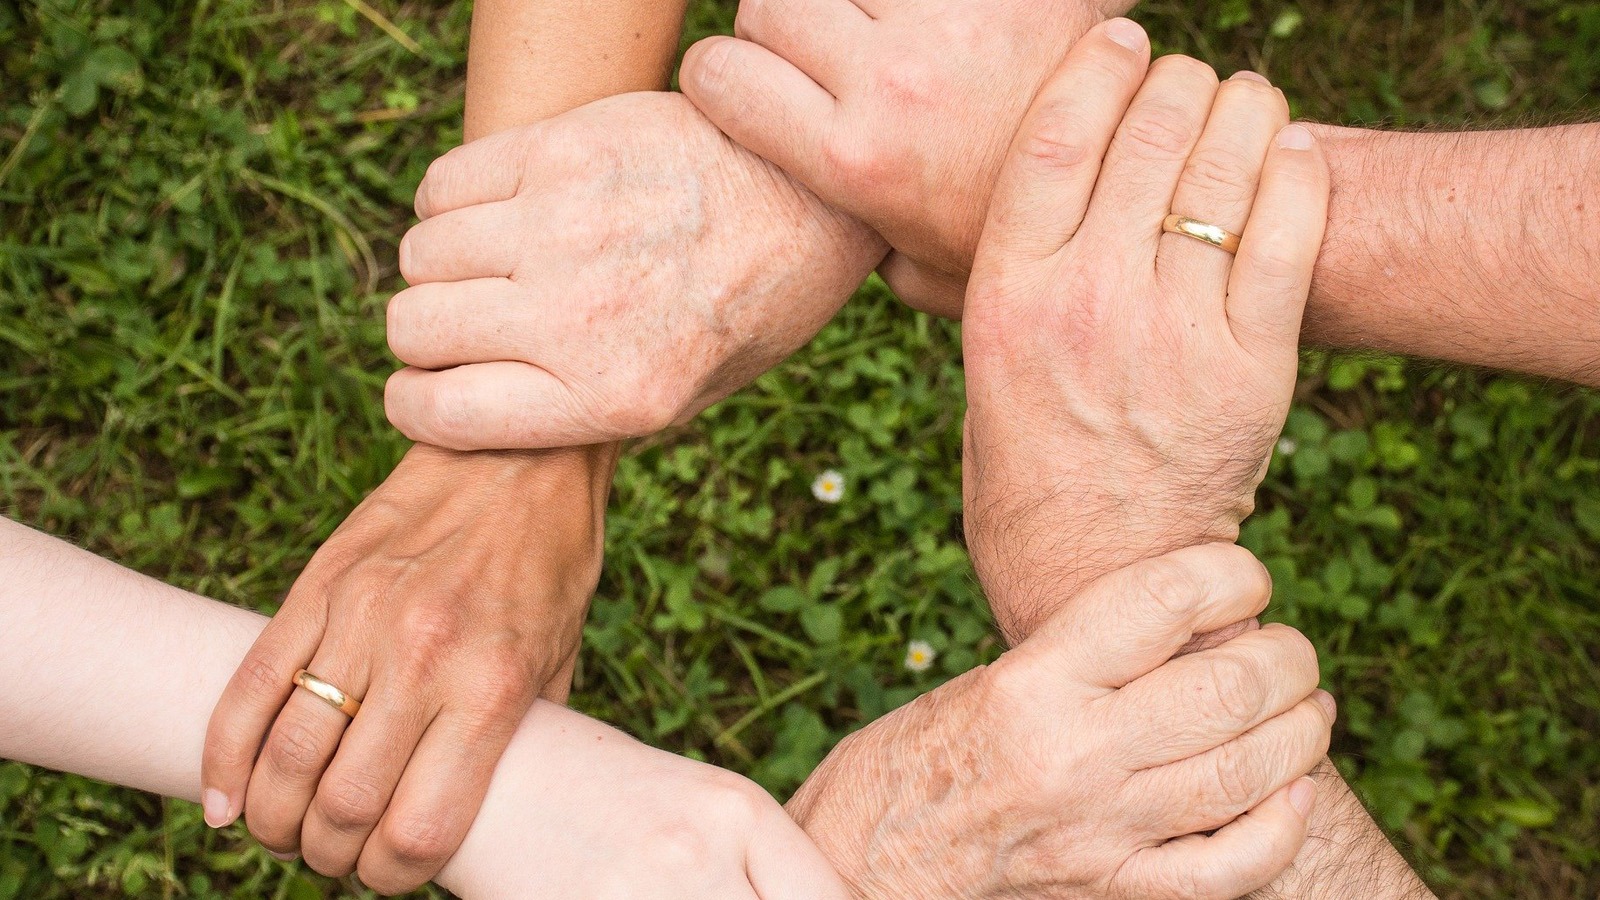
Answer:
(1148, 156)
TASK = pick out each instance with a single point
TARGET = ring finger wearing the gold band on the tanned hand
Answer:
(298, 750)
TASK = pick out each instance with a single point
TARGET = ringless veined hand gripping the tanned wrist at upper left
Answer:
(606, 275)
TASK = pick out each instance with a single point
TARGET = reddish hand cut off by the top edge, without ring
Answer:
(898, 113)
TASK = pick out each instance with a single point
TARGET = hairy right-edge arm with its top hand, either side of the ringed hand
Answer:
(1474, 249)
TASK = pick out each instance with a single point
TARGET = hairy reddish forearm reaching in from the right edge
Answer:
(1478, 247)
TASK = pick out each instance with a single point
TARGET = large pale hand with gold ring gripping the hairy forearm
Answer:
(1126, 387)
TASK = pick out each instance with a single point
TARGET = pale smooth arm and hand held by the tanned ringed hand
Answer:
(113, 675)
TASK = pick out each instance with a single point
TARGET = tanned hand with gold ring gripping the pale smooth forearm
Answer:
(449, 601)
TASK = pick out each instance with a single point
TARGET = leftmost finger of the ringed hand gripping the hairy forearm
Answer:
(1049, 179)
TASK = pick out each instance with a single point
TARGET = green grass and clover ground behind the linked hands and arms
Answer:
(199, 207)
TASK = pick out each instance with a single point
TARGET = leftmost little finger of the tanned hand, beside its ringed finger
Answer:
(252, 702)
